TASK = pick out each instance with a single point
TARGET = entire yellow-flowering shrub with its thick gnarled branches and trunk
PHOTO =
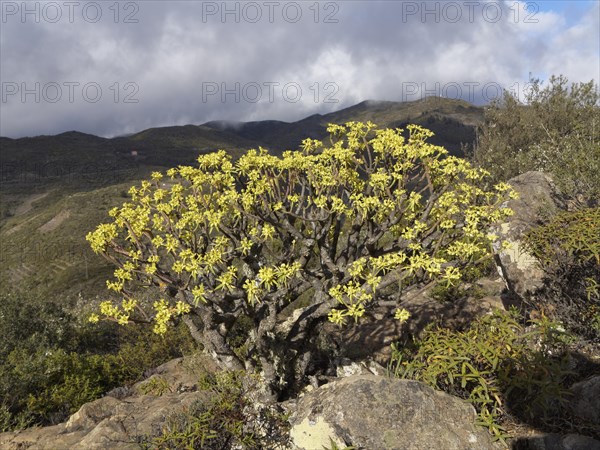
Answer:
(371, 211)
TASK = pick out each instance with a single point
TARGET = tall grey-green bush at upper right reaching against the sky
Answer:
(556, 130)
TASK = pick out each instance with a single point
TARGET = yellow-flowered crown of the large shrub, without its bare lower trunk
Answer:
(427, 207)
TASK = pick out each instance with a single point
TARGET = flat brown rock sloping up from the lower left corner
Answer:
(120, 420)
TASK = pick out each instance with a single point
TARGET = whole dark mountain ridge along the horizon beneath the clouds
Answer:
(87, 161)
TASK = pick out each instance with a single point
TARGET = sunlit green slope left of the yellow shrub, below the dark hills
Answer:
(43, 247)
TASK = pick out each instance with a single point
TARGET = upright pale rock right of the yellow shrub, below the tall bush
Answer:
(538, 198)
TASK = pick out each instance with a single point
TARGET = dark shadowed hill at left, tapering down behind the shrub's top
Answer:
(88, 160)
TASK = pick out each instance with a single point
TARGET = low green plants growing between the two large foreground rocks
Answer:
(228, 419)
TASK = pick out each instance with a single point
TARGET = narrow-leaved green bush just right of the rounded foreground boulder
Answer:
(494, 365)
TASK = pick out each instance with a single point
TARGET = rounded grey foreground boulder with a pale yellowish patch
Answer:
(373, 412)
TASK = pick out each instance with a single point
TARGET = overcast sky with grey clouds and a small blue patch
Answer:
(110, 68)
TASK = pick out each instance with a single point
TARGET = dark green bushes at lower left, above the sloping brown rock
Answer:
(50, 365)
